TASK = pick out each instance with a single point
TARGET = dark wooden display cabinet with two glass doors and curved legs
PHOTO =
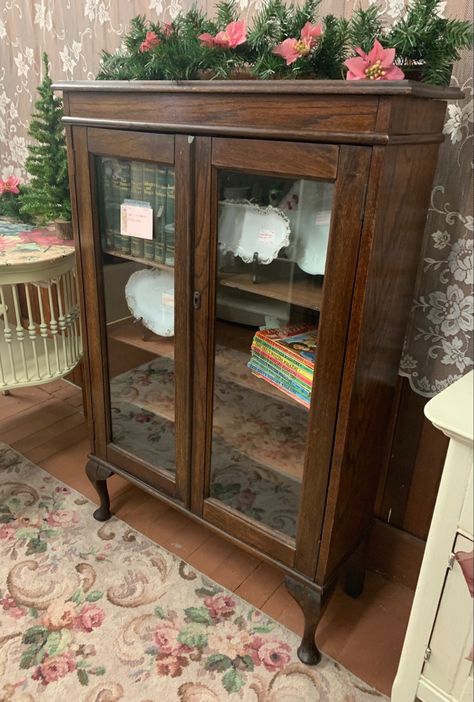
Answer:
(351, 166)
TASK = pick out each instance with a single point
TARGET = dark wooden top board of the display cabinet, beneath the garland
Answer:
(296, 87)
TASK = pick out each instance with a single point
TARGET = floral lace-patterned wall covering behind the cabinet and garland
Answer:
(439, 341)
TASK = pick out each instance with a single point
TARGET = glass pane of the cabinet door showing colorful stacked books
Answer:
(272, 243)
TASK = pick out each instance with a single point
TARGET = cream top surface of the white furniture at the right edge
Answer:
(452, 410)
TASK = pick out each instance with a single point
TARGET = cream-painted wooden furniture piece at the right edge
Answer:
(435, 665)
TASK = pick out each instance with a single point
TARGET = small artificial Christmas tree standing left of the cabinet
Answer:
(47, 196)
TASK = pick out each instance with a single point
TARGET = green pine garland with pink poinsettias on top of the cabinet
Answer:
(175, 51)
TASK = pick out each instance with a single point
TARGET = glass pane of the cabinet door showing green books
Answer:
(136, 215)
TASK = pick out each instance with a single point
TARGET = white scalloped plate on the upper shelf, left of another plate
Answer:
(246, 229)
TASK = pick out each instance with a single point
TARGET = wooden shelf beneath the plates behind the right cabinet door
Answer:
(304, 293)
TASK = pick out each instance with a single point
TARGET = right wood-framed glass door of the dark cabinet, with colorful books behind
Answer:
(271, 237)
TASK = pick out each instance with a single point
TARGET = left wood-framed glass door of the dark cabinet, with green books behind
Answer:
(139, 245)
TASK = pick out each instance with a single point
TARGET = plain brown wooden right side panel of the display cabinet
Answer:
(400, 186)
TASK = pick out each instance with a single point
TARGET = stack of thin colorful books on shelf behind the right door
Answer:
(285, 357)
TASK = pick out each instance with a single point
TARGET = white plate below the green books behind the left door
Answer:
(150, 297)
